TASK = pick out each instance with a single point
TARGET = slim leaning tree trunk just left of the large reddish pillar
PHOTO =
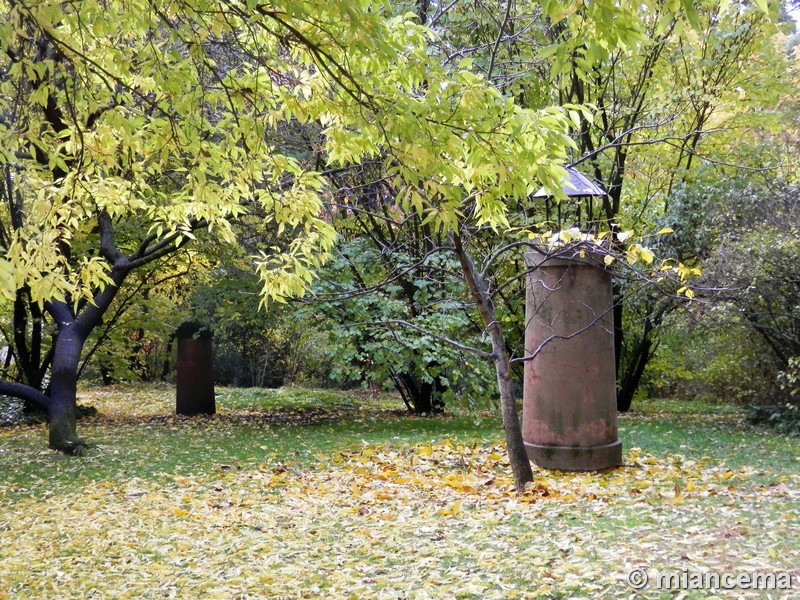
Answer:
(520, 463)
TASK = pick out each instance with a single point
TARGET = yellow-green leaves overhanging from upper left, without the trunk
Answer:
(178, 138)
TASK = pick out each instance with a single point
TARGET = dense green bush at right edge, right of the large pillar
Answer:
(744, 327)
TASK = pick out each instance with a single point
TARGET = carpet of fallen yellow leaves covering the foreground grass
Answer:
(429, 520)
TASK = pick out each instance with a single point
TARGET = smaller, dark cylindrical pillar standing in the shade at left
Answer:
(195, 385)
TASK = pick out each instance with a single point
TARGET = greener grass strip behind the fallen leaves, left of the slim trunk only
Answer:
(136, 435)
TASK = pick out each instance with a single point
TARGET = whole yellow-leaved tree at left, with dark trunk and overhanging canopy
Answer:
(131, 128)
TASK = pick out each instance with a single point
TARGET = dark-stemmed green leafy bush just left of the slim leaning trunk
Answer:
(388, 314)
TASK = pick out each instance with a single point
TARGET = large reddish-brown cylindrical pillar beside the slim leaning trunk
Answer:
(569, 418)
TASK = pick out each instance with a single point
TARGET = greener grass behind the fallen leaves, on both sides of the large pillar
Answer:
(136, 435)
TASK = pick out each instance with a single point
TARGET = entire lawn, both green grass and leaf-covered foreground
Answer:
(301, 493)
